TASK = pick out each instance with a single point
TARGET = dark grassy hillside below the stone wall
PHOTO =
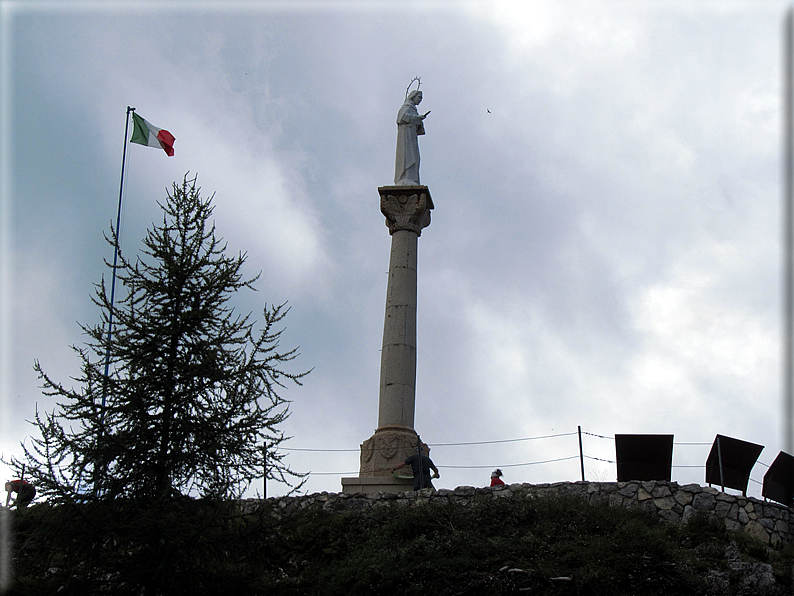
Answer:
(499, 546)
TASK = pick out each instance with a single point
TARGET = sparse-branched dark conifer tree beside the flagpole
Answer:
(191, 404)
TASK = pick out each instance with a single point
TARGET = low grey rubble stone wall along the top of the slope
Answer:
(767, 521)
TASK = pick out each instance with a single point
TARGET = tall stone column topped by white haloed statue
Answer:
(406, 206)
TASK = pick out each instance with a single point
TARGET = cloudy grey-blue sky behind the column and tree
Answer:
(605, 250)
